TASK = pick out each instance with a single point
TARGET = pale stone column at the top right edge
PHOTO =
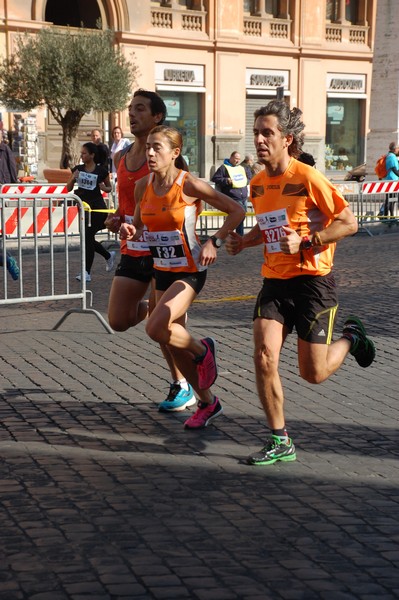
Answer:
(384, 101)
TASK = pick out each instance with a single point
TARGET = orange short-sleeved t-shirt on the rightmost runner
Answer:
(304, 200)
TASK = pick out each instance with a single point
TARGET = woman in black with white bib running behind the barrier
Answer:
(92, 178)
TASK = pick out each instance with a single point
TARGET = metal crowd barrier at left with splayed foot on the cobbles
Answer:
(42, 226)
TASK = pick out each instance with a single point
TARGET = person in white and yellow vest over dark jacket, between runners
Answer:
(233, 179)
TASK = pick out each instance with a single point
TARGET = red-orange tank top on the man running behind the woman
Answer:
(126, 204)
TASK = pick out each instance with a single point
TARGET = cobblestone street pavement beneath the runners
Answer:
(105, 498)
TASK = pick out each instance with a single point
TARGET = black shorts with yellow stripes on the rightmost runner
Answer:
(308, 303)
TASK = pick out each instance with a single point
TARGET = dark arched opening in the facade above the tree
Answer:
(75, 13)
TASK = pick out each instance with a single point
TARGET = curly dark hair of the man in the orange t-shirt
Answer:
(289, 123)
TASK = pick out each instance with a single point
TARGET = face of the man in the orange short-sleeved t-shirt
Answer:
(271, 146)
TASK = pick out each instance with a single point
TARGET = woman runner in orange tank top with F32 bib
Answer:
(167, 203)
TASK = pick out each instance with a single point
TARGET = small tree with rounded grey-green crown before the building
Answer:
(69, 72)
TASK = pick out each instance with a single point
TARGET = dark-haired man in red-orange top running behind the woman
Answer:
(133, 276)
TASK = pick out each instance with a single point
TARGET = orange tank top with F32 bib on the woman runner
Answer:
(171, 223)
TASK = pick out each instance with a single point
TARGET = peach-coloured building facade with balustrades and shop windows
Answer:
(215, 61)
